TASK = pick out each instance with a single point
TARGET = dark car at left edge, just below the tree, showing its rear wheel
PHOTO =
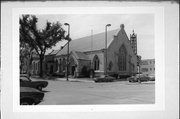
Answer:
(25, 81)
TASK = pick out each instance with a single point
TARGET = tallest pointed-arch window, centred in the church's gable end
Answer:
(122, 58)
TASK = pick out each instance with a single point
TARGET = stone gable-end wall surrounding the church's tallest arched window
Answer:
(113, 51)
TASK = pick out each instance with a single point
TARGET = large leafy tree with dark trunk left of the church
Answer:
(39, 40)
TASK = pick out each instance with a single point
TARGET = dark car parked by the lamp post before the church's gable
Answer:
(104, 78)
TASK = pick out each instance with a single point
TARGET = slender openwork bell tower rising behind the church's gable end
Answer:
(133, 41)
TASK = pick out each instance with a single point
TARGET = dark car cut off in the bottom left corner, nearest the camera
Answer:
(30, 96)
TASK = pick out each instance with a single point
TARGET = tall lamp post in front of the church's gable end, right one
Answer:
(106, 47)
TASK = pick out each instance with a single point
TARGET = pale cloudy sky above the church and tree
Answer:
(82, 24)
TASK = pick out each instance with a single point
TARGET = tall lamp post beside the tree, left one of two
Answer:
(68, 38)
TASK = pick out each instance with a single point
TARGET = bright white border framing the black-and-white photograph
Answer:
(159, 59)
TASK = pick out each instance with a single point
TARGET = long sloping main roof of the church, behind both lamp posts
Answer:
(84, 44)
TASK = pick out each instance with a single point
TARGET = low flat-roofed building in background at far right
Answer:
(148, 67)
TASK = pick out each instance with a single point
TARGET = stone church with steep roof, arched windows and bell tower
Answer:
(89, 53)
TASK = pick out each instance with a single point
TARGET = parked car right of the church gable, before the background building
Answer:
(138, 78)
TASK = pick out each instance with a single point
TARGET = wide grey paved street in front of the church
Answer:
(62, 92)
